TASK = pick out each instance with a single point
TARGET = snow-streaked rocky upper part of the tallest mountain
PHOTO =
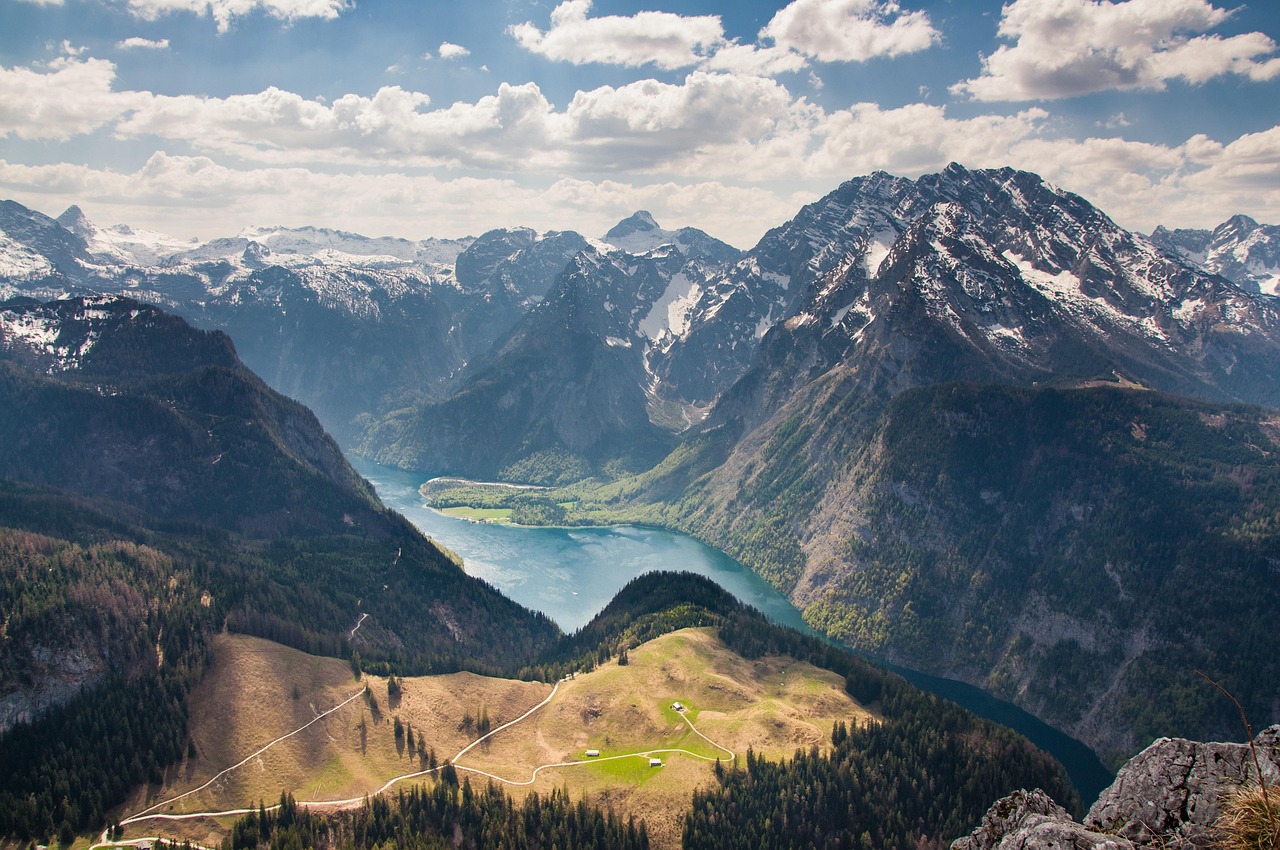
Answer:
(1009, 280)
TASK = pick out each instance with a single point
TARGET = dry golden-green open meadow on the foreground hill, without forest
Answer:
(255, 692)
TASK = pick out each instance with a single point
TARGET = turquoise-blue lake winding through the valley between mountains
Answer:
(572, 574)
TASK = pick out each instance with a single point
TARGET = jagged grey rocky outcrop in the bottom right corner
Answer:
(1169, 796)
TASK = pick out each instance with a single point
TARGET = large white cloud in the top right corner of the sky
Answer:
(1069, 48)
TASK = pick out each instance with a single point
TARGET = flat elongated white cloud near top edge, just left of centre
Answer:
(648, 38)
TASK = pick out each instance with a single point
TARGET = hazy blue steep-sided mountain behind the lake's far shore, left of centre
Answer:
(563, 397)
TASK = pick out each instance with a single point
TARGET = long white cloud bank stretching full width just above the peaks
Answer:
(747, 135)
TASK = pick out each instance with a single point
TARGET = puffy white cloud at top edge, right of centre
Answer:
(851, 30)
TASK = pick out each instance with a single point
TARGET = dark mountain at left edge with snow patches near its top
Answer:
(136, 408)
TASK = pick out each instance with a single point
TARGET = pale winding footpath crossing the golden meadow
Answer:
(152, 815)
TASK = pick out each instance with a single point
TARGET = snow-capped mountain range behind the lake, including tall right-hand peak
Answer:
(964, 422)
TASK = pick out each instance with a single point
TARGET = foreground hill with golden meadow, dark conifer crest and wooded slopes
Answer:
(755, 696)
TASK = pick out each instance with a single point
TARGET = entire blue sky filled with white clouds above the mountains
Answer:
(417, 118)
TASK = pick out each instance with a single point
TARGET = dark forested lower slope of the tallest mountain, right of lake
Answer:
(1078, 552)
